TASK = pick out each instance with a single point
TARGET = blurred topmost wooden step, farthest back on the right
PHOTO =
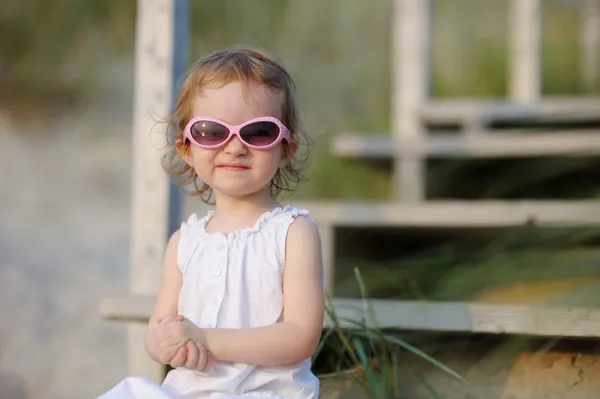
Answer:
(550, 109)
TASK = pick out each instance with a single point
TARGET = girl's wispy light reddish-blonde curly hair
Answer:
(247, 66)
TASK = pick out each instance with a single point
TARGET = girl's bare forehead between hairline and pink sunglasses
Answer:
(237, 102)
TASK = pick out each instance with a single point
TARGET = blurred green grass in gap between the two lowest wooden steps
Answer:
(469, 265)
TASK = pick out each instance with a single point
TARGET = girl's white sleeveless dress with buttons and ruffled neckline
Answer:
(231, 281)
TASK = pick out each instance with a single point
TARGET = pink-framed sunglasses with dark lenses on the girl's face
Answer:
(259, 133)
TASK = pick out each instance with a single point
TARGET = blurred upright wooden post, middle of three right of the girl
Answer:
(525, 35)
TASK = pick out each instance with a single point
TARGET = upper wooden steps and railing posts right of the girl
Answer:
(526, 124)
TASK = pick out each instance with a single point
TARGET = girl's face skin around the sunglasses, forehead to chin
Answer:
(234, 169)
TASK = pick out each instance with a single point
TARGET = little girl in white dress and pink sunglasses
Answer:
(240, 309)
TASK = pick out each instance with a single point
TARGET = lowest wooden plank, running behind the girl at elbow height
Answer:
(429, 316)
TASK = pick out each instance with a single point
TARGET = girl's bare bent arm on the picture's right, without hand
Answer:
(297, 336)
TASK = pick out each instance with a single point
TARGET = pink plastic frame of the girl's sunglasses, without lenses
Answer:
(234, 130)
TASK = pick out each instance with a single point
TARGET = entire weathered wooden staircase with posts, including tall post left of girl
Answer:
(422, 129)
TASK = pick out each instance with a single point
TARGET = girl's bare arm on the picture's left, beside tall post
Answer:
(168, 296)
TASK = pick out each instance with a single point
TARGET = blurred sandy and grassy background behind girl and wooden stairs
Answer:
(66, 100)
